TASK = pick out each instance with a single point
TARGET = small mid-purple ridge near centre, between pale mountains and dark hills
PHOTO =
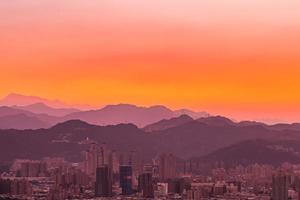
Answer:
(168, 123)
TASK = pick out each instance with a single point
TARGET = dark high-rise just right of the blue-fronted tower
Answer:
(146, 185)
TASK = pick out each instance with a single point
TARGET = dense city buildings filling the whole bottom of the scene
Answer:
(166, 177)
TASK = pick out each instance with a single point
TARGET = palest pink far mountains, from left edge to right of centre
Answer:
(47, 116)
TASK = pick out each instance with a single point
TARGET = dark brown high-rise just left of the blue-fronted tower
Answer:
(103, 185)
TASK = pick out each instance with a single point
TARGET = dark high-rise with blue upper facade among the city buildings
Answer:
(126, 179)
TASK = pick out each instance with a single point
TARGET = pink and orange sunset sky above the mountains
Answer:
(238, 58)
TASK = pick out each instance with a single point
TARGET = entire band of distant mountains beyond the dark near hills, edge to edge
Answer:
(23, 115)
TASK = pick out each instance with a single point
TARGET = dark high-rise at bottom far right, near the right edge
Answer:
(280, 186)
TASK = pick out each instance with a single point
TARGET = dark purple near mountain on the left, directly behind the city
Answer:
(65, 139)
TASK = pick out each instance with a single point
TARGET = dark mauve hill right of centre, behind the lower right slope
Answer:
(197, 138)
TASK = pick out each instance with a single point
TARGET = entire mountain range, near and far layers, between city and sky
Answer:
(37, 130)
